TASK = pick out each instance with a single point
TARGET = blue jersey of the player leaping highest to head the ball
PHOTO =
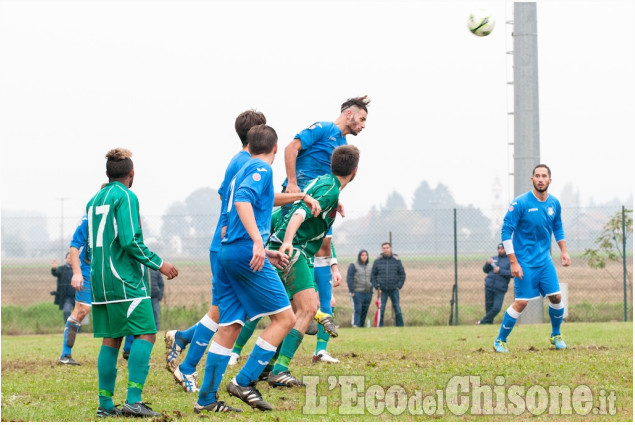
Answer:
(318, 143)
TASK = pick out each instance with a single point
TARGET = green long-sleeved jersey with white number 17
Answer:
(118, 254)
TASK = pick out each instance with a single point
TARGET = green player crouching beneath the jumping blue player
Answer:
(300, 236)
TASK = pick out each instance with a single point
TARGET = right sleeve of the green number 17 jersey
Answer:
(130, 235)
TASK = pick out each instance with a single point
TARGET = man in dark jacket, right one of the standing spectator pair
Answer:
(388, 275)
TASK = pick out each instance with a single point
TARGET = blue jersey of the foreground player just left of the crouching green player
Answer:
(253, 184)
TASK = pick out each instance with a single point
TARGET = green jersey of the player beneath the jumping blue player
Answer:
(308, 239)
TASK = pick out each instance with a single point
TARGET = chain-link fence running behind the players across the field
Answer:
(438, 248)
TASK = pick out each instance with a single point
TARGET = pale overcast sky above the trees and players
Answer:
(166, 79)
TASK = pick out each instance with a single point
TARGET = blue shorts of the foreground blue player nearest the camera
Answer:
(242, 293)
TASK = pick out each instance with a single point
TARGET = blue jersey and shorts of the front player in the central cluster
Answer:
(242, 293)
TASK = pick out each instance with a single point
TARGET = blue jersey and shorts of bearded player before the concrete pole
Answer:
(531, 222)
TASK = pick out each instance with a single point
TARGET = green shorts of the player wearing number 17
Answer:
(116, 320)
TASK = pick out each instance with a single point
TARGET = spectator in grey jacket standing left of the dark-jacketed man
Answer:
(360, 288)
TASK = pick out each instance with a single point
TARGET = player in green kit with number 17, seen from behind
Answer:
(120, 292)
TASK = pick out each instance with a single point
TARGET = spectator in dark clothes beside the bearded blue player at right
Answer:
(499, 273)
